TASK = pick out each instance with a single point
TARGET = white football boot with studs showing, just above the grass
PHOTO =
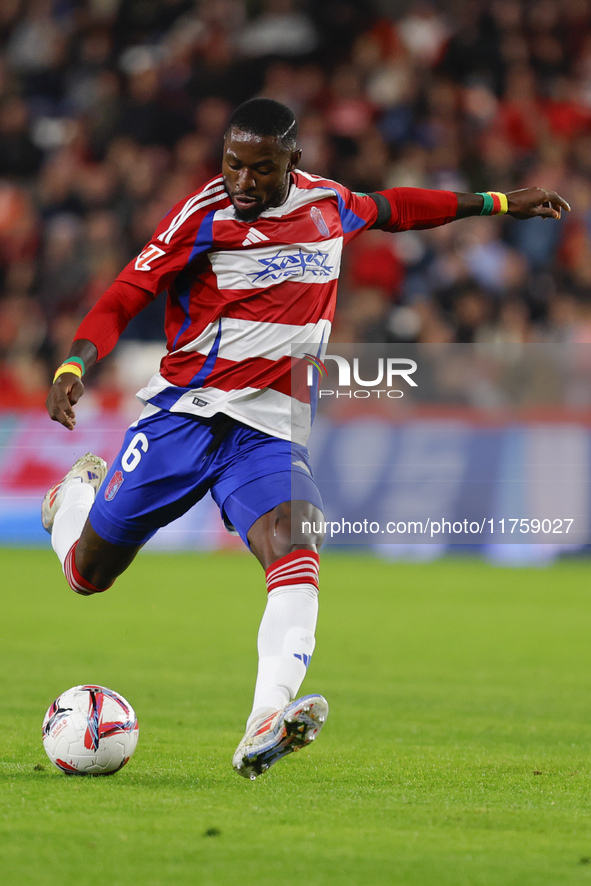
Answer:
(287, 730)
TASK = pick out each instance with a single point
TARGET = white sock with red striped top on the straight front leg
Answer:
(286, 635)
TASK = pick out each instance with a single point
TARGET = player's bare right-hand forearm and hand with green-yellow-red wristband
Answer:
(523, 204)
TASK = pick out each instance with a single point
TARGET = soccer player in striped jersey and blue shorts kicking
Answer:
(250, 264)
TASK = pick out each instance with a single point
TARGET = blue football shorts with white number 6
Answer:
(169, 461)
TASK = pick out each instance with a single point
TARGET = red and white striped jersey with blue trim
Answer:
(242, 295)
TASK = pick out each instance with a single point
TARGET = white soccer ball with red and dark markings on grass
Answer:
(90, 730)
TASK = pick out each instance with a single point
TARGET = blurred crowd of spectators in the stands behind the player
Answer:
(112, 110)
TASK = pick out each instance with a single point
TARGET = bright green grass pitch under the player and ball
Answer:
(457, 752)
